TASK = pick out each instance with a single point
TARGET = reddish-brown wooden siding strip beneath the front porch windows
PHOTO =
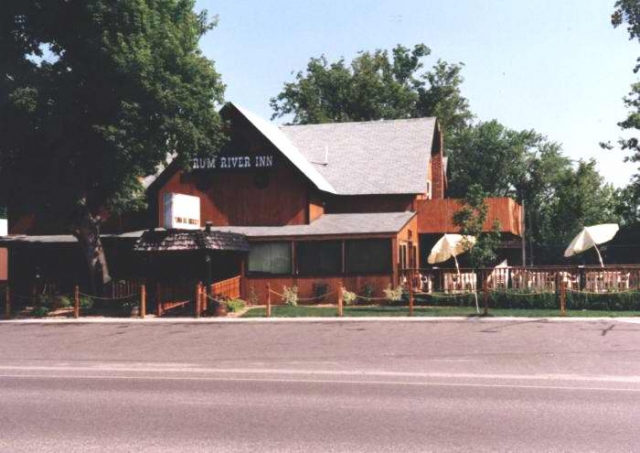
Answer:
(305, 286)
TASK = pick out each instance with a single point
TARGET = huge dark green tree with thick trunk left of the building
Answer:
(95, 94)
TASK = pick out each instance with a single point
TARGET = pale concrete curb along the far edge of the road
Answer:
(315, 320)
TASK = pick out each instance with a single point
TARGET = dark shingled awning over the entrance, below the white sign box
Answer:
(191, 240)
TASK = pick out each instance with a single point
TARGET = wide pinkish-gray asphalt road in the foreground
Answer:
(318, 387)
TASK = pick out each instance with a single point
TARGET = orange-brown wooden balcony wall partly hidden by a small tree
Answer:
(436, 216)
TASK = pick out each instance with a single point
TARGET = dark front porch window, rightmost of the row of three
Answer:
(368, 256)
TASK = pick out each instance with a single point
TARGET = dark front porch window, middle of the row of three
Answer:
(319, 257)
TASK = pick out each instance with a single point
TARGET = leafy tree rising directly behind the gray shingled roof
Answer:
(375, 85)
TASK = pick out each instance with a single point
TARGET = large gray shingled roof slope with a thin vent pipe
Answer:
(374, 157)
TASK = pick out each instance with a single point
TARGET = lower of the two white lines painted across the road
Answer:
(315, 381)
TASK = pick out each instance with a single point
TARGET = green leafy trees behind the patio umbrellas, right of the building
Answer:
(559, 198)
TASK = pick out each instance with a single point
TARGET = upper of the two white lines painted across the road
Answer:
(190, 369)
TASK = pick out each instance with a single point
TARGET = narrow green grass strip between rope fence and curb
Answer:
(307, 311)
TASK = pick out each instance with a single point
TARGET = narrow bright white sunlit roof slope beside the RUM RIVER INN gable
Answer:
(272, 133)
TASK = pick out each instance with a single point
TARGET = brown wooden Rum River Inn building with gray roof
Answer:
(308, 206)
